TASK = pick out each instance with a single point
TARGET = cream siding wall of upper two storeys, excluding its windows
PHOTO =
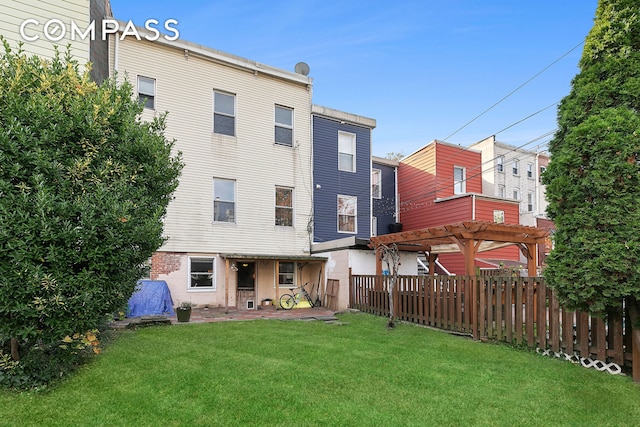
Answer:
(184, 88)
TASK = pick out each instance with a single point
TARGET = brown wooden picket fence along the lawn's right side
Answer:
(516, 310)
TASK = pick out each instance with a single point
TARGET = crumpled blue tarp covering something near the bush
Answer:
(151, 297)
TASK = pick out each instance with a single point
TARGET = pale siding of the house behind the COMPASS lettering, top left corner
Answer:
(14, 12)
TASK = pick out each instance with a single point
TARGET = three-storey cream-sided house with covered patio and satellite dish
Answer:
(238, 229)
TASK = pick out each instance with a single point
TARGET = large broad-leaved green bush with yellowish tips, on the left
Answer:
(84, 186)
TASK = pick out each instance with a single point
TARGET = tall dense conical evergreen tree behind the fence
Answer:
(593, 180)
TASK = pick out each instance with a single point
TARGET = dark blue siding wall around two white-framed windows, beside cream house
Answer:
(333, 182)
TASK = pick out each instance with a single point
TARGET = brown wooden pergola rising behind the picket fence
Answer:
(468, 238)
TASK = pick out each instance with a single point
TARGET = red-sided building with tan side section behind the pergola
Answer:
(441, 184)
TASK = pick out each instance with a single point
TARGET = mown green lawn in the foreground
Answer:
(294, 373)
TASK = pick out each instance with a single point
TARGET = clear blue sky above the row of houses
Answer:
(453, 70)
